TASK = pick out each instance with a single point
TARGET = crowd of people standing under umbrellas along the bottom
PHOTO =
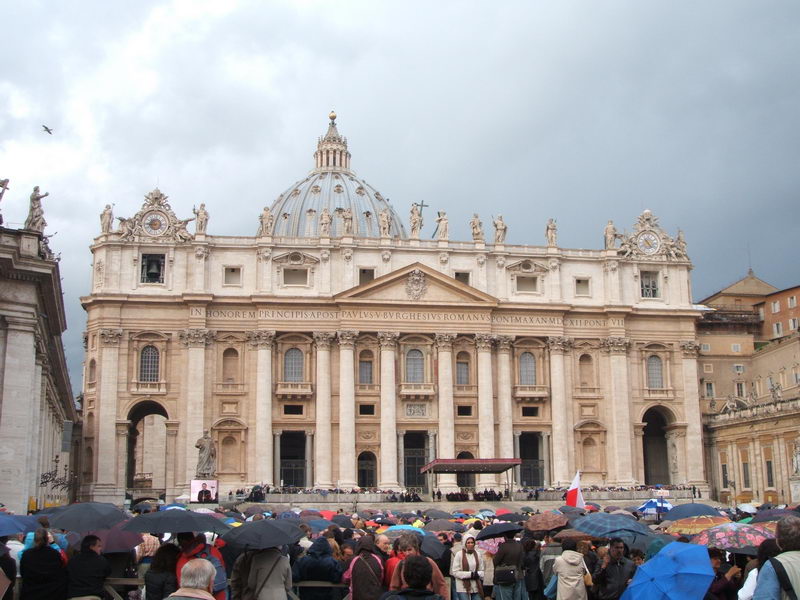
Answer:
(361, 563)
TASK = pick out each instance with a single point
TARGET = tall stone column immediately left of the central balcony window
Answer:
(388, 472)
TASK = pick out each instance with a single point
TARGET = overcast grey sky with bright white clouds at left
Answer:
(582, 111)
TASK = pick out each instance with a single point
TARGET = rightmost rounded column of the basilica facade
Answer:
(562, 437)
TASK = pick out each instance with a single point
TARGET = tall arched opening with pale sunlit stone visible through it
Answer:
(147, 447)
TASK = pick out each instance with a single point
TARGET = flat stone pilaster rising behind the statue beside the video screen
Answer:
(195, 341)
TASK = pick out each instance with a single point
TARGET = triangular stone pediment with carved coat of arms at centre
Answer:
(419, 285)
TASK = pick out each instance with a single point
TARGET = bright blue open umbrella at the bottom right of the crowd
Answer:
(677, 571)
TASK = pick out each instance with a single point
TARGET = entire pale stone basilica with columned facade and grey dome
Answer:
(335, 348)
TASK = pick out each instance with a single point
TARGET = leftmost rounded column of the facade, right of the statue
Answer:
(263, 468)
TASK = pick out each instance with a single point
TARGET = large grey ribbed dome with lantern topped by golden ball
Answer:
(332, 185)
